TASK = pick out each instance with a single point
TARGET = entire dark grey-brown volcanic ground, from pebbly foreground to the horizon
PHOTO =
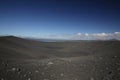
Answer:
(22, 59)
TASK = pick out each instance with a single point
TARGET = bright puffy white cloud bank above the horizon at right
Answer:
(97, 36)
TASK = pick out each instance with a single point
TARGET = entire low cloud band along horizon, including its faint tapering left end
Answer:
(87, 36)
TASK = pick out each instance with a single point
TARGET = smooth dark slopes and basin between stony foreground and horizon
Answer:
(15, 47)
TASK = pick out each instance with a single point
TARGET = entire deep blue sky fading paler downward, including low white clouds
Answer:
(67, 19)
